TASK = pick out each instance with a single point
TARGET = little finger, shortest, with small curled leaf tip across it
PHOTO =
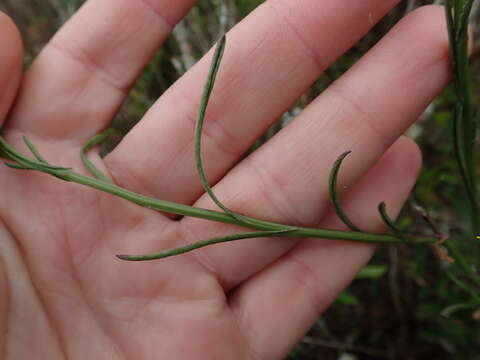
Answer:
(288, 296)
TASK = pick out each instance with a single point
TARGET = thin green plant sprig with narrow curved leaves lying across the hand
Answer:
(264, 228)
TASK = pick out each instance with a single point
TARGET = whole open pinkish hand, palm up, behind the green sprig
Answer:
(67, 297)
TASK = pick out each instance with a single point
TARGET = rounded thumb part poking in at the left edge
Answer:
(11, 58)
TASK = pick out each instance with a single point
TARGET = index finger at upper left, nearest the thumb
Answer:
(80, 79)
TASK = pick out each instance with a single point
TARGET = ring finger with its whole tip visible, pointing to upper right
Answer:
(286, 179)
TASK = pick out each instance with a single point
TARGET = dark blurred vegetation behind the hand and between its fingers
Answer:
(404, 305)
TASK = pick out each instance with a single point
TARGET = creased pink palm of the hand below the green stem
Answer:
(91, 305)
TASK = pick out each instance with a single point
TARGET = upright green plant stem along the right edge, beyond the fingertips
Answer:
(464, 140)
